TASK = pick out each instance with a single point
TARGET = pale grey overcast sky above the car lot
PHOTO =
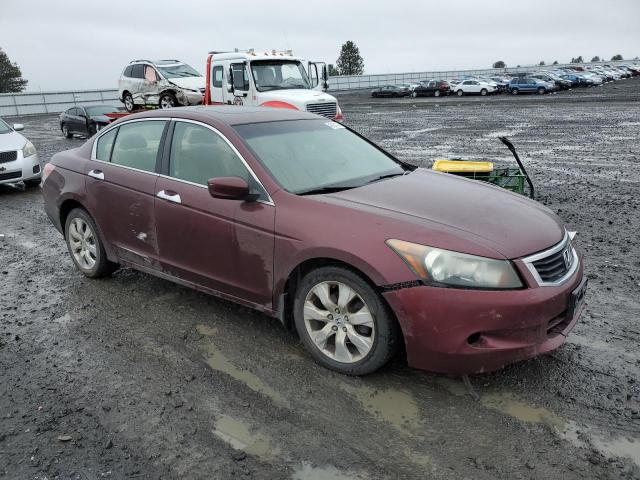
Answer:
(65, 44)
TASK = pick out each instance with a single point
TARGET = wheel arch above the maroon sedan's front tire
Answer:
(285, 303)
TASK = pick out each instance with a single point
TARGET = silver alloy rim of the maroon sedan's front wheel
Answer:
(339, 322)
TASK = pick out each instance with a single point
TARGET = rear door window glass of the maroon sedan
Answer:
(137, 144)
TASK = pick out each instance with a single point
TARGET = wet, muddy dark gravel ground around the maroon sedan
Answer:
(135, 377)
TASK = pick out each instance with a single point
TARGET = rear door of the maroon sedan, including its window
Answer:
(120, 185)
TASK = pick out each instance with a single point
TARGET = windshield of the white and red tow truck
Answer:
(279, 75)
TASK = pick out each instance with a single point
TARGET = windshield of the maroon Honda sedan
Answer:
(309, 155)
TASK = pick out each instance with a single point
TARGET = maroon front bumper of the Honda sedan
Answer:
(460, 331)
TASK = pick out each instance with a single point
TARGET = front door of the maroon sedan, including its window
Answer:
(223, 245)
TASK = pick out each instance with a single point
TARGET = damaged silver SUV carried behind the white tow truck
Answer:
(162, 83)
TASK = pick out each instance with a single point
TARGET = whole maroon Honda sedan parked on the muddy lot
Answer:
(303, 219)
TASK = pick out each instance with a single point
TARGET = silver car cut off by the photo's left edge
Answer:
(19, 160)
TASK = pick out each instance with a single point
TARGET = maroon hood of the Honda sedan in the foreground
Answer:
(510, 225)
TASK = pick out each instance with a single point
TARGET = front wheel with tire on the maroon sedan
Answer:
(343, 322)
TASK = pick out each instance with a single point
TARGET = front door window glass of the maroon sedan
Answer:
(199, 154)
